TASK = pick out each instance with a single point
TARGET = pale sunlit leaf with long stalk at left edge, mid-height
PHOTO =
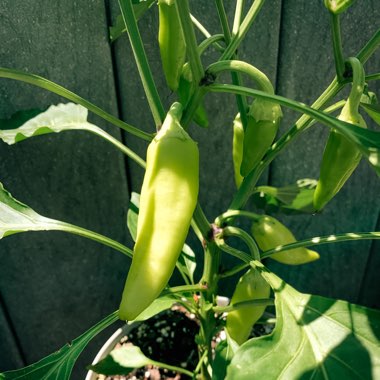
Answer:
(16, 217)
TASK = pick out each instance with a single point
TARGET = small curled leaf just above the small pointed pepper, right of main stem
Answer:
(295, 198)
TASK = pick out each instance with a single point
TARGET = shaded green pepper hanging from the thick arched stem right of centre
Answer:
(262, 126)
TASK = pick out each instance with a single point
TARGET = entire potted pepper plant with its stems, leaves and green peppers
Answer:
(313, 336)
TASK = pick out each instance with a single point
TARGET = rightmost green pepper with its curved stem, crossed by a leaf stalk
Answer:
(341, 156)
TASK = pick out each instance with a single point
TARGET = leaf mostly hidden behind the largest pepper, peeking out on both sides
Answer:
(186, 263)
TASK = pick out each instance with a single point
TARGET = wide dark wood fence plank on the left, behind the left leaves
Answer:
(55, 285)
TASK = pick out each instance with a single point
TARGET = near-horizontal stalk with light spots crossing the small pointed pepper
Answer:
(328, 239)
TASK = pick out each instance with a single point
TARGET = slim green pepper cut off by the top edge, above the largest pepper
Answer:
(171, 42)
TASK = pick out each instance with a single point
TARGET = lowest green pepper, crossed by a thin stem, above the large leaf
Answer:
(239, 322)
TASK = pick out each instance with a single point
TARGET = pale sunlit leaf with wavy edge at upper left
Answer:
(55, 119)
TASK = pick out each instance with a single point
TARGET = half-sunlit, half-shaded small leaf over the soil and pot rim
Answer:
(121, 361)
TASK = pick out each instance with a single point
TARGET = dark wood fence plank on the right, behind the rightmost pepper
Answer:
(306, 66)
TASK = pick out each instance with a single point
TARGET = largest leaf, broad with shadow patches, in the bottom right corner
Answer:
(314, 338)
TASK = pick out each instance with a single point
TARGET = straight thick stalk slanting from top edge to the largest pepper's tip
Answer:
(146, 76)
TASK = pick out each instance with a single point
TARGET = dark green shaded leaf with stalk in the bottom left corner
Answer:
(60, 364)
